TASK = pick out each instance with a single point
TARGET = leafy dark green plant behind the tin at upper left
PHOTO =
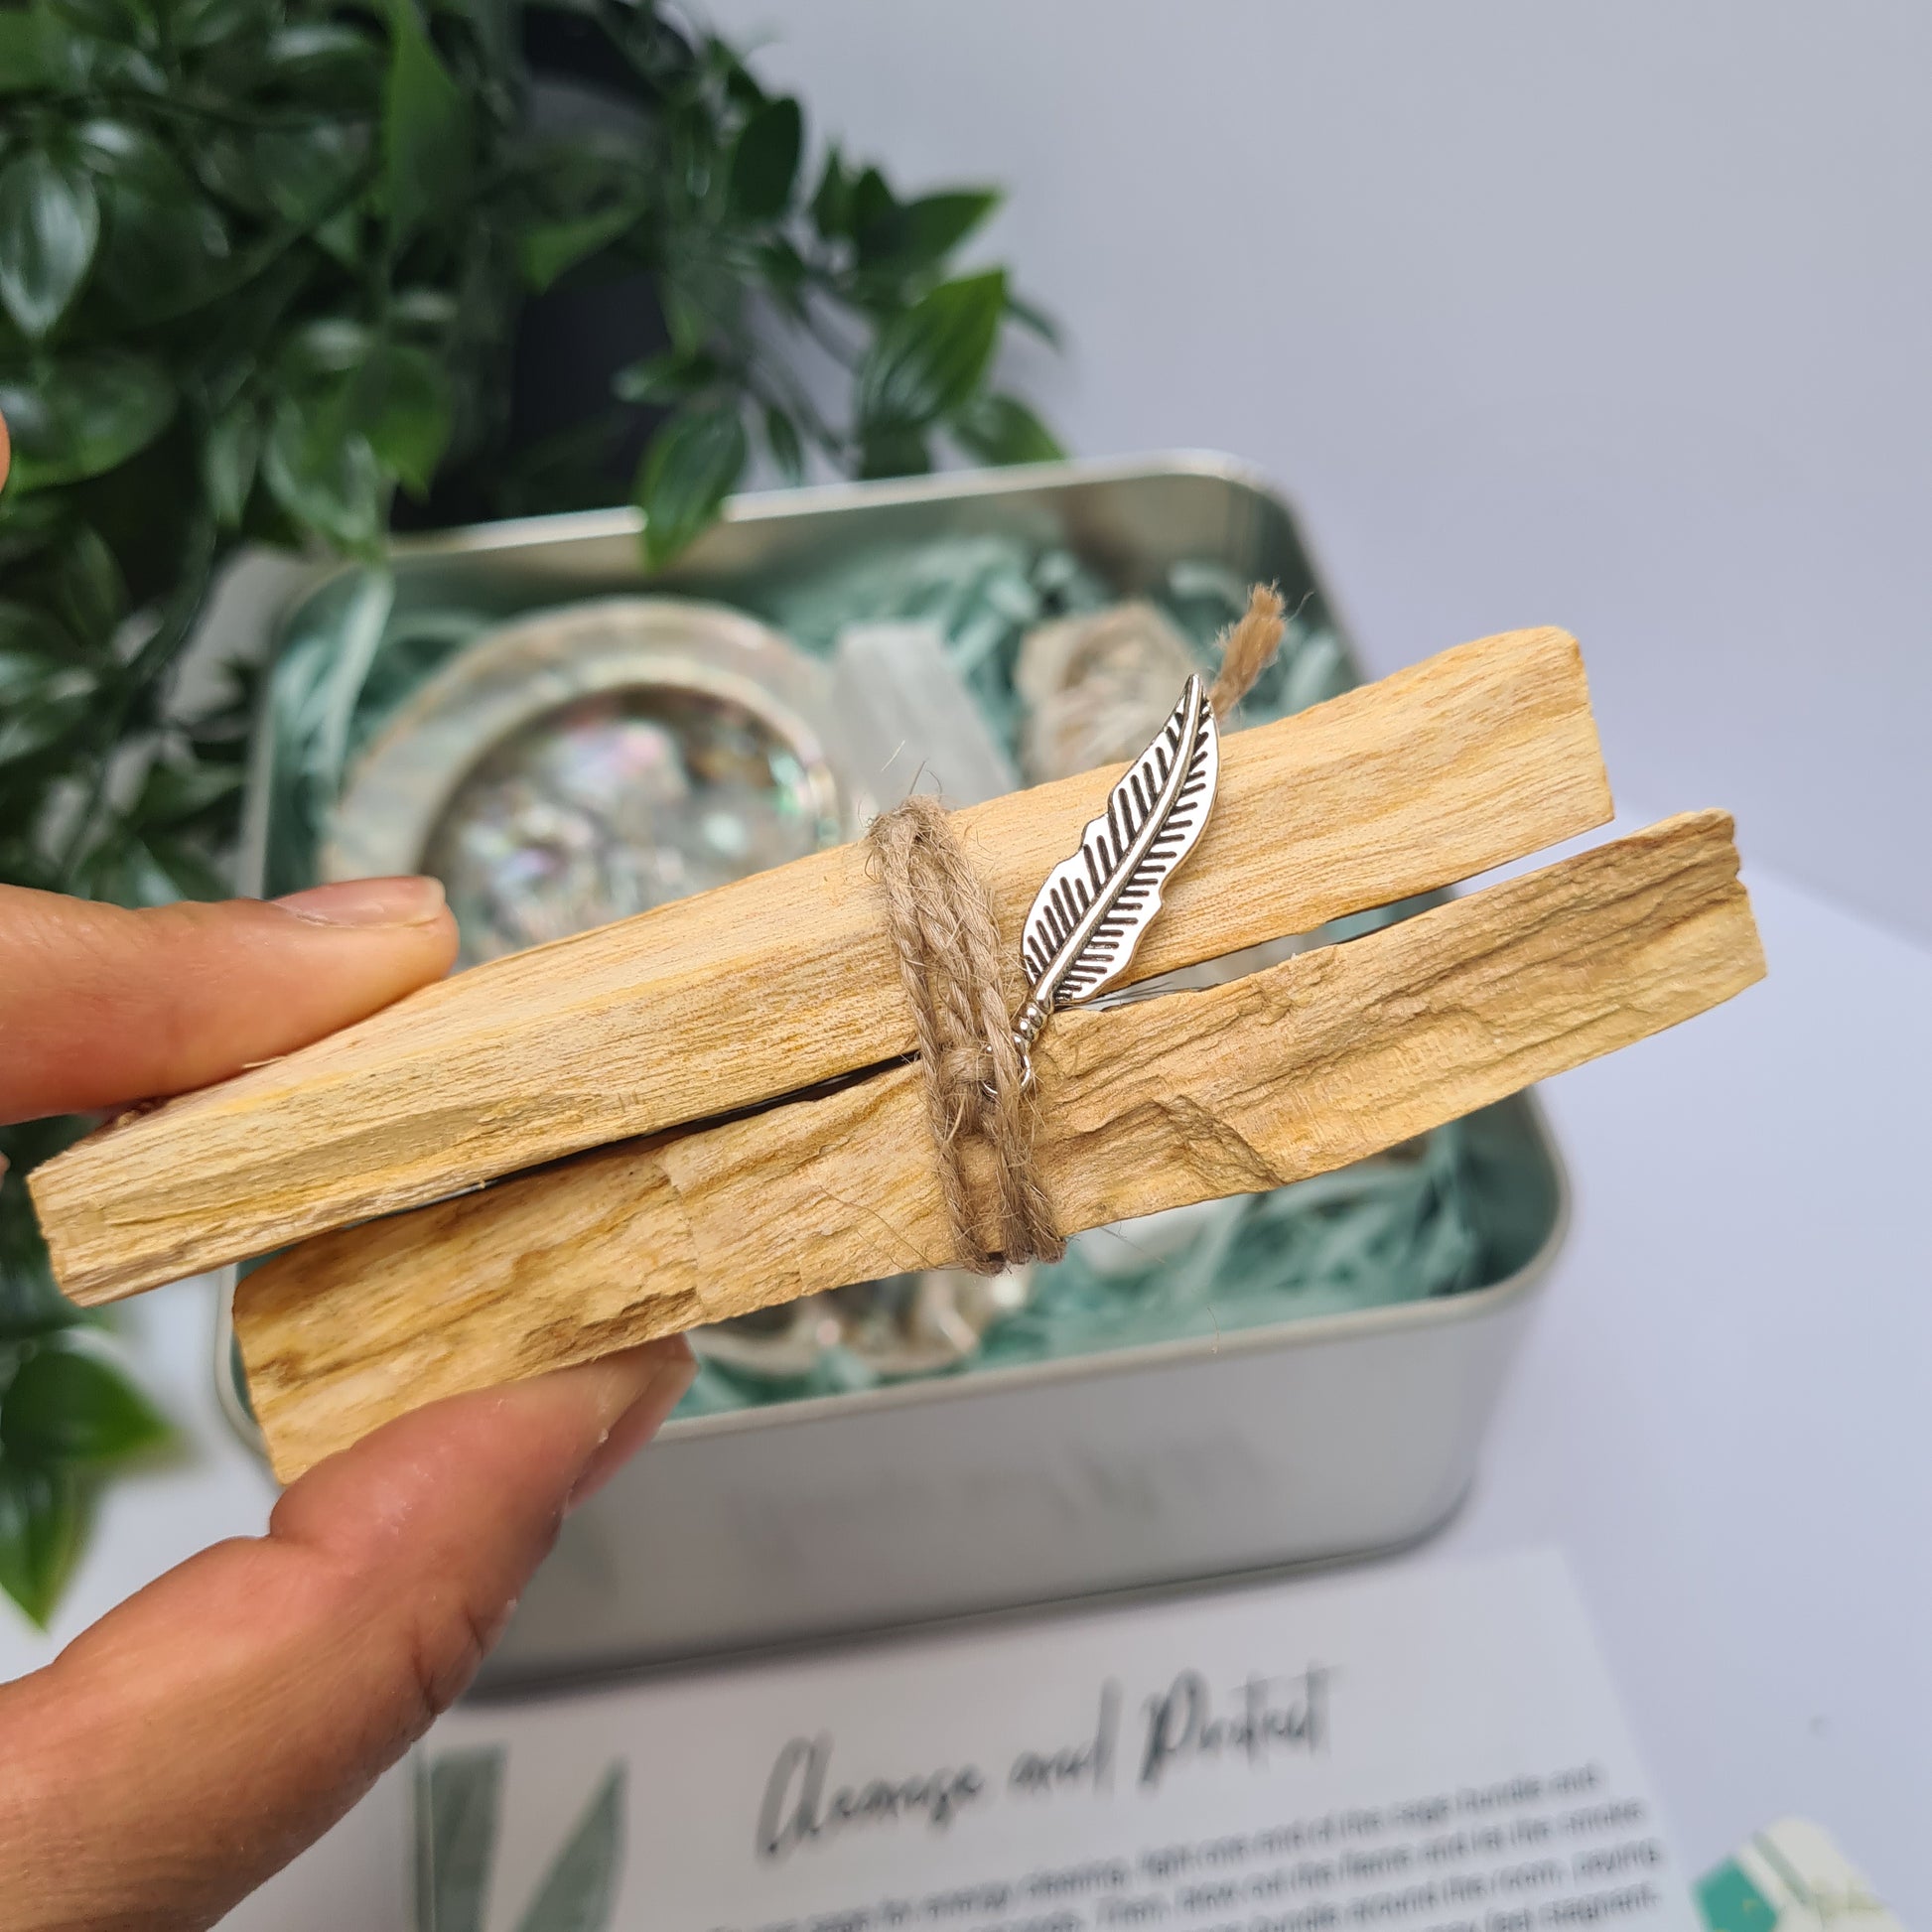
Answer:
(266, 268)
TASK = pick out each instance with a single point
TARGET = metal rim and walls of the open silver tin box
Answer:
(1205, 1458)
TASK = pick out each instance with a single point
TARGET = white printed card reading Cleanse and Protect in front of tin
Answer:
(1417, 1749)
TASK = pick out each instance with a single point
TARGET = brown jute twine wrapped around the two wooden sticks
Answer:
(963, 994)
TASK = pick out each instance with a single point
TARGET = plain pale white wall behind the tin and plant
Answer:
(1612, 318)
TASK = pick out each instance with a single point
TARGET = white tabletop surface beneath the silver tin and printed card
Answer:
(1724, 1417)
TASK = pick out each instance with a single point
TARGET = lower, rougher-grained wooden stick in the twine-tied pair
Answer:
(1270, 1079)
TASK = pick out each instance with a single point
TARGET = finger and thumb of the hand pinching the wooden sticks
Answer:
(213, 1726)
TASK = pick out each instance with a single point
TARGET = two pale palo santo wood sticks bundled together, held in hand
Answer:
(708, 1110)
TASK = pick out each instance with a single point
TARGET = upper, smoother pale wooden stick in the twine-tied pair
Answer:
(764, 988)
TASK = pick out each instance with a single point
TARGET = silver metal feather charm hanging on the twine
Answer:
(1094, 907)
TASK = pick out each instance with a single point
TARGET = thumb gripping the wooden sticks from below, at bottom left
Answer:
(221, 1720)
